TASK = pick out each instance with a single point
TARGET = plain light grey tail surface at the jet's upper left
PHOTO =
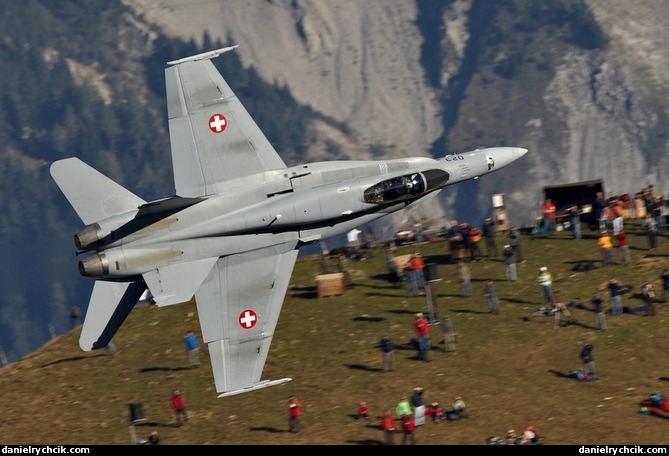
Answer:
(93, 195)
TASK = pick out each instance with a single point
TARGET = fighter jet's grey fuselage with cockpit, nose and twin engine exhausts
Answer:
(311, 202)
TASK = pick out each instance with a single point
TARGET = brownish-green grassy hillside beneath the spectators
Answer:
(510, 372)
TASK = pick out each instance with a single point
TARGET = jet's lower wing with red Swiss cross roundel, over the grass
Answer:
(238, 305)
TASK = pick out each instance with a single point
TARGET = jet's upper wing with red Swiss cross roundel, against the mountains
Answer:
(213, 137)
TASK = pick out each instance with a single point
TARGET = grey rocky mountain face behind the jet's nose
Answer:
(583, 113)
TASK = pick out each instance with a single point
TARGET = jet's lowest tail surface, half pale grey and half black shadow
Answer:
(110, 305)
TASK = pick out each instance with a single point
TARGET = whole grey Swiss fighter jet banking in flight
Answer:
(230, 235)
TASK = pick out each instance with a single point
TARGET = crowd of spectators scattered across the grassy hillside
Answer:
(465, 242)
